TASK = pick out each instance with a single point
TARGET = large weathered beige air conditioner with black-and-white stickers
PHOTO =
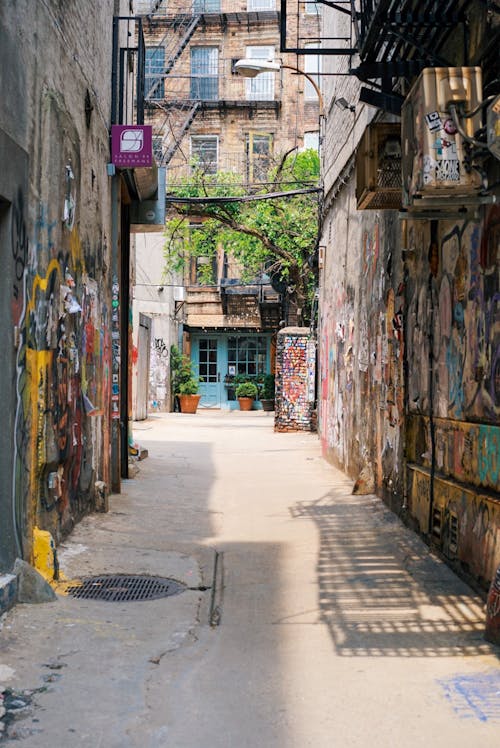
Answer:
(434, 155)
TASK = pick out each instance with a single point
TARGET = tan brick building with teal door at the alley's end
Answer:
(203, 113)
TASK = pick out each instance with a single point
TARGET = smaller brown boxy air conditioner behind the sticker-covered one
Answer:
(378, 168)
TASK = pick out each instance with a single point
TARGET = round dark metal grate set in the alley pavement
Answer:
(123, 588)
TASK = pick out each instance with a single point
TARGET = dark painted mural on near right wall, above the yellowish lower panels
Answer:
(457, 306)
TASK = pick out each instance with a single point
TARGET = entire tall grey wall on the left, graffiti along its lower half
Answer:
(55, 76)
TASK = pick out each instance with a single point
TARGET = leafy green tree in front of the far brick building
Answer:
(276, 235)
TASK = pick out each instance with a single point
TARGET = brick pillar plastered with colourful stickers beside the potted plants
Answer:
(295, 377)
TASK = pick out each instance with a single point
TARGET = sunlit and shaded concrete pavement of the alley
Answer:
(310, 616)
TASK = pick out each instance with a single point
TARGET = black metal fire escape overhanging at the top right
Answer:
(390, 42)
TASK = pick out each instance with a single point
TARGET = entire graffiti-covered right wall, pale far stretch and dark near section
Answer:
(429, 443)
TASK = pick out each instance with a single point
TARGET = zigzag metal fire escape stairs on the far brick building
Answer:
(184, 27)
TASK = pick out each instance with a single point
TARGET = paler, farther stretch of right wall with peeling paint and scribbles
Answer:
(360, 399)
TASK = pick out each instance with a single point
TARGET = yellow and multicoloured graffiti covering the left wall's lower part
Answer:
(62, 380)
